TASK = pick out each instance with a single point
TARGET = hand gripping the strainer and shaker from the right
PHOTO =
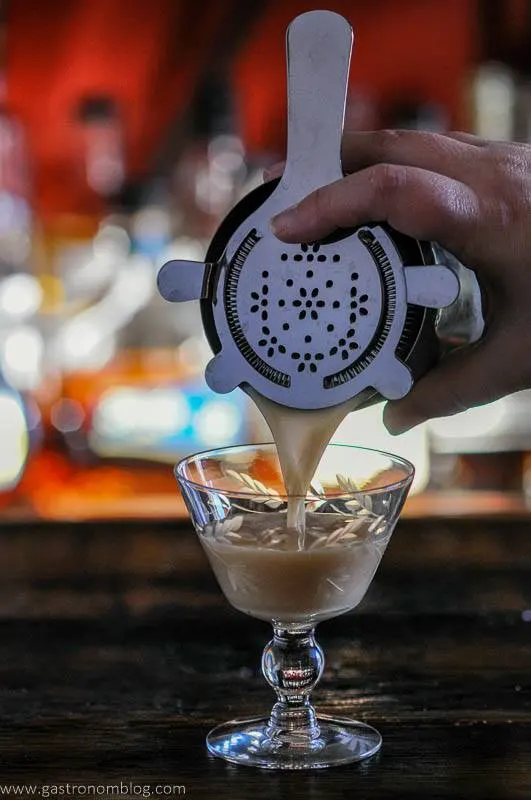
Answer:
(474, 198)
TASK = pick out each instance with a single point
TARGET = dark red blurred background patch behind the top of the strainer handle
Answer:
(423, 48)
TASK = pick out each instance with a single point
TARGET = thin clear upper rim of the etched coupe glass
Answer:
(389, 487)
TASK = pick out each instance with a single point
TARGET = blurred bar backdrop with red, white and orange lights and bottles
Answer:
(127, 131)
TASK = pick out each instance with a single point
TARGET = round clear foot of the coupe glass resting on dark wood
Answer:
(248, 742)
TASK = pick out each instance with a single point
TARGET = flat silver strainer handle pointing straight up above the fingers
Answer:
(319, 46)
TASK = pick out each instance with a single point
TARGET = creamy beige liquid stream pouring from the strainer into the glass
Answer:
(301, 437)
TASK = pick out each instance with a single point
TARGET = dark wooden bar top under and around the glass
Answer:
(118, 653)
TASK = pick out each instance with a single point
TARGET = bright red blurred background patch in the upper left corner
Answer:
(146, 54)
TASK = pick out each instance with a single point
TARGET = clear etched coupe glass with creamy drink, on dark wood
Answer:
(294, 579)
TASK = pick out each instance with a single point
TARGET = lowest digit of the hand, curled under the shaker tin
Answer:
(471, 376)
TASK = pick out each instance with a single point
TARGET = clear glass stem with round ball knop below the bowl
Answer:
(292, 663)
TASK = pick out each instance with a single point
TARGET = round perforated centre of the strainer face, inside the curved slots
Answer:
(317, 313)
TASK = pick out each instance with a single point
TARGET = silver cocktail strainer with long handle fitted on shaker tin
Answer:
(314, 325)
